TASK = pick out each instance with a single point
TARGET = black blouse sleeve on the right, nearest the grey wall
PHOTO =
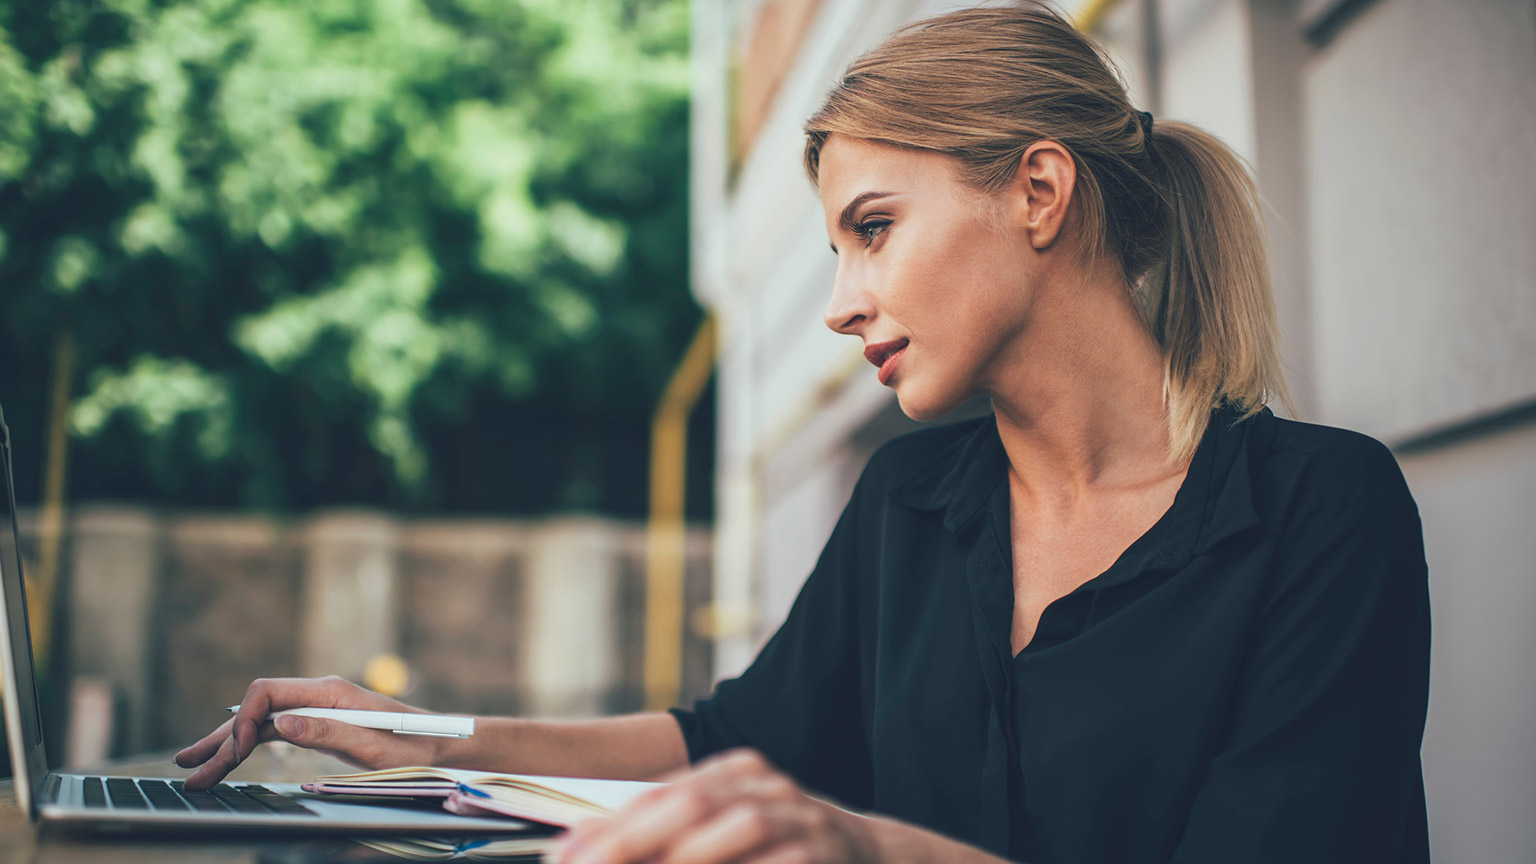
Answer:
(1322, 756)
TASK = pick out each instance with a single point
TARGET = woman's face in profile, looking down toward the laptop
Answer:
(935, 282)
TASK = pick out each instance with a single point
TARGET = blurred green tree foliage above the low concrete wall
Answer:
(406, 253)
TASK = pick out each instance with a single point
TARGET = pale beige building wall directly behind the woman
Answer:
(1399, 165)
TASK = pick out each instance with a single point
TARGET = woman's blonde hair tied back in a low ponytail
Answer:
(1179, 211)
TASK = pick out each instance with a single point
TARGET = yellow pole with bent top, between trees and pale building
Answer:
(666, 531)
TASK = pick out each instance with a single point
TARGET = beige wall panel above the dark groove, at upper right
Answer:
(1420, 133)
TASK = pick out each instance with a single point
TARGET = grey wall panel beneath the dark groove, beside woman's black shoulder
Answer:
(1478, 502)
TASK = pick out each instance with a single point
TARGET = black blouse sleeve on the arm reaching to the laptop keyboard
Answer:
(799, 702)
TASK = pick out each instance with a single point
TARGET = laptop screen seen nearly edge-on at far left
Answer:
(22, 719)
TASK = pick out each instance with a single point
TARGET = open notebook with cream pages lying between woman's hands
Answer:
(558, 802)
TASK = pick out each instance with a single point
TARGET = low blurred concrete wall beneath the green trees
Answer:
(171, 616)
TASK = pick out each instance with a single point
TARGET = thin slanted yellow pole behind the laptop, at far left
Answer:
(51, 525)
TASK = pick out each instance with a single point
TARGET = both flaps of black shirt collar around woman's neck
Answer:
(1216, 502)
